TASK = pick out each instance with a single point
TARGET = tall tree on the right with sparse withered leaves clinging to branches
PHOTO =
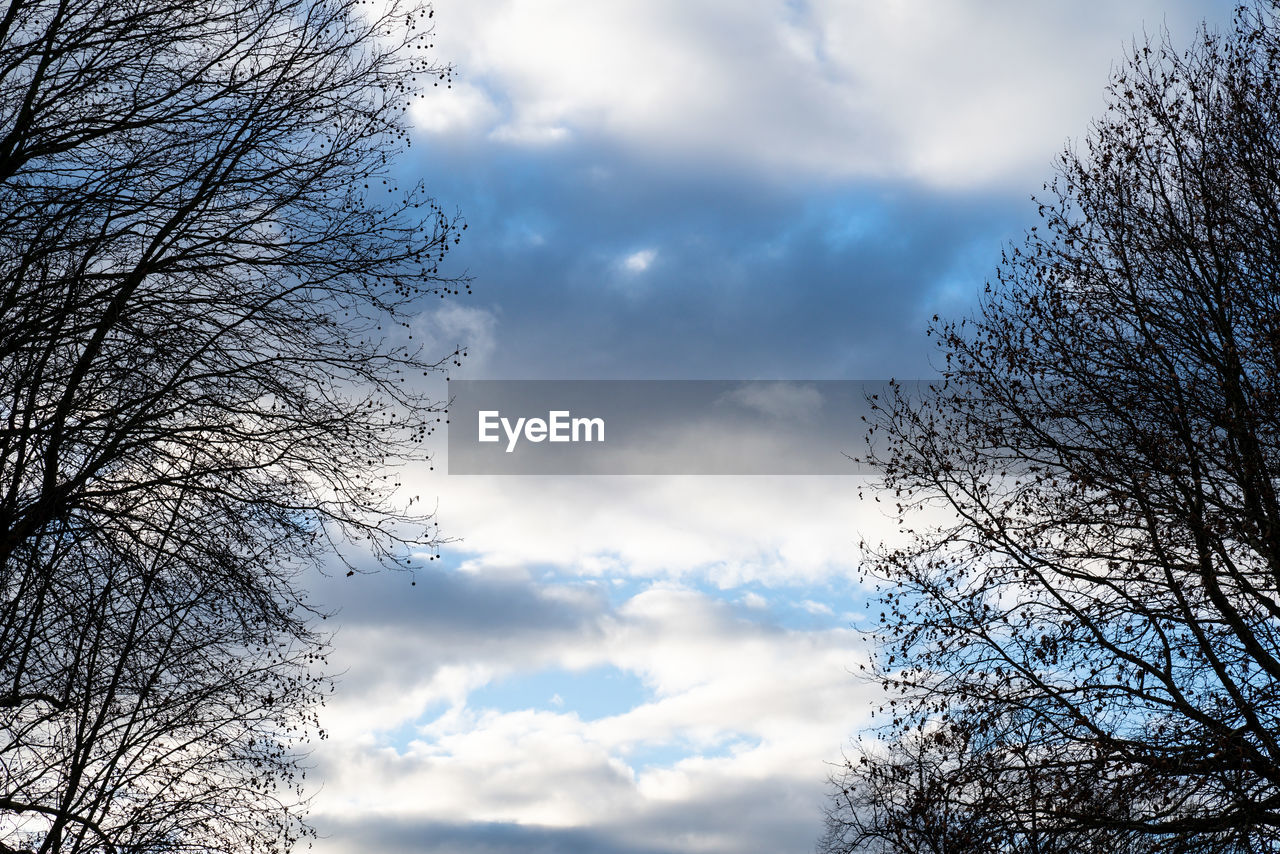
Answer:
(1107, 444)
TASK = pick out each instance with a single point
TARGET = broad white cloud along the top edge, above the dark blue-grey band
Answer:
(947, 93)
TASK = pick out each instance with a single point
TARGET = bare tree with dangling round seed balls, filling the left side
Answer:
(208, 275)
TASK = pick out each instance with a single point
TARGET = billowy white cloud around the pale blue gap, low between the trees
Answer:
(757, 709)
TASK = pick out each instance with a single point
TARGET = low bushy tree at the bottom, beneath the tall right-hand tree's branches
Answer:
(961, 789)
